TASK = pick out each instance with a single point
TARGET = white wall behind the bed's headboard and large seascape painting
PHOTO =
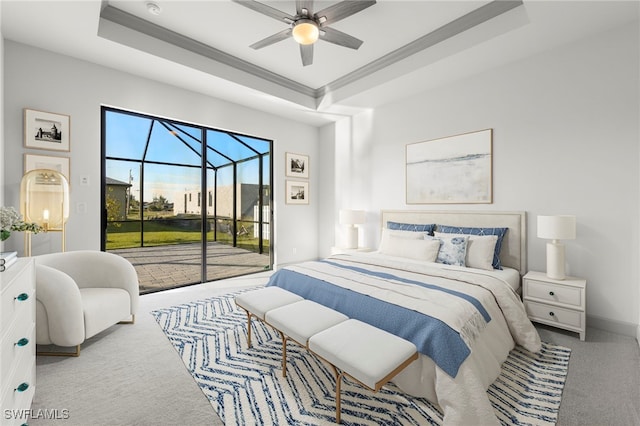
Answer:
(565, 141)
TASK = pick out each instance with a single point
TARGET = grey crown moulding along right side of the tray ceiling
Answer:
(453, 28)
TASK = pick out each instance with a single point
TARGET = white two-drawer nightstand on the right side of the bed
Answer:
(559, 303)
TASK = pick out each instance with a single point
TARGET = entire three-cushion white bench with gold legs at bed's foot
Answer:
(365, 353)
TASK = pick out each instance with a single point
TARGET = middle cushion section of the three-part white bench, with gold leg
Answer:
(299, 321)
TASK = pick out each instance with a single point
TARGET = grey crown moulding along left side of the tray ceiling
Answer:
(150, 29)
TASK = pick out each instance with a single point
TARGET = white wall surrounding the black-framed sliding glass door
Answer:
(42, 80)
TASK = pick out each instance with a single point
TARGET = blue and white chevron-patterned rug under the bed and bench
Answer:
(246, 387)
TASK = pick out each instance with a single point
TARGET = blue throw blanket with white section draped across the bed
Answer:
(432, 336)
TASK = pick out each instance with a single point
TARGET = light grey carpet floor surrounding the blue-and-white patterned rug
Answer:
(131, 375)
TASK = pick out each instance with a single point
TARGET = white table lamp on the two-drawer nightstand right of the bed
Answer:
(556, 228)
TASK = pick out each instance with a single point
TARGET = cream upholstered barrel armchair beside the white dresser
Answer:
(81, 293)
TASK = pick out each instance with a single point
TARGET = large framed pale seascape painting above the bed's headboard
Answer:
(454, 169)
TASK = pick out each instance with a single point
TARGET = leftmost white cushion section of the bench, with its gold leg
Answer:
(258, 302)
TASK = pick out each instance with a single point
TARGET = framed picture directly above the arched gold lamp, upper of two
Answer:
(46, 130)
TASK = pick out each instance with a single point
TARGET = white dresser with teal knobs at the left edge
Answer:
(17, 341)
